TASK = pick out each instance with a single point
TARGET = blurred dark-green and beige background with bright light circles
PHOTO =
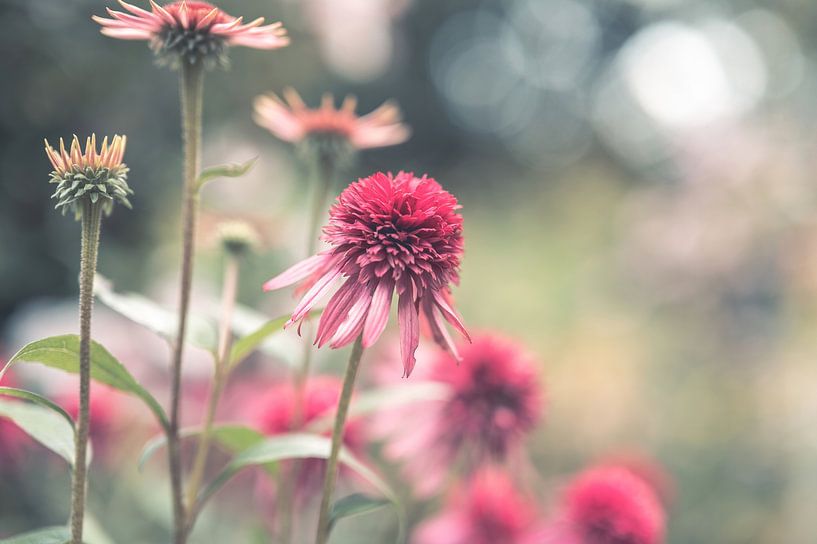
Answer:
(637, 185)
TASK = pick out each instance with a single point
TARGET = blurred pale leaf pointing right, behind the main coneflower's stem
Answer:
(384, 398)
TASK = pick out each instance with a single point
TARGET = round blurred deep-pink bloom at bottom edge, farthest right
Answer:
(612, 505)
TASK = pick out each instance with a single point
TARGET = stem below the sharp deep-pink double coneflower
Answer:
(337, 440)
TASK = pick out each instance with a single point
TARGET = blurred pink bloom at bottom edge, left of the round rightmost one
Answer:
(490, 510)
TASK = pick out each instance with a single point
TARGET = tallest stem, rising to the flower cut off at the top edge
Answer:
(192, 86)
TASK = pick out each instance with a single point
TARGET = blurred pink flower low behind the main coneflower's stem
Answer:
(274, 412)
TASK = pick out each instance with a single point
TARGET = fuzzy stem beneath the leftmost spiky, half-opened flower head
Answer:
(91, 223)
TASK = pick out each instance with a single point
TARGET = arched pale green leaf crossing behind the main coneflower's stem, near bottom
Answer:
(296, 446)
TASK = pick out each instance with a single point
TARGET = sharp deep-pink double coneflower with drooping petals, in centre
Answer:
(388, 233)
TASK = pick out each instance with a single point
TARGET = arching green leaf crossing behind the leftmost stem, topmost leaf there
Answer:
(62, 352)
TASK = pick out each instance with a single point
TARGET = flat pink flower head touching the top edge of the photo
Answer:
(189, 31)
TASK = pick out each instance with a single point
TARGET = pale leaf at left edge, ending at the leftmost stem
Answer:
(44, 425)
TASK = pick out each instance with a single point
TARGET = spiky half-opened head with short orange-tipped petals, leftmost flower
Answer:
(93, 176)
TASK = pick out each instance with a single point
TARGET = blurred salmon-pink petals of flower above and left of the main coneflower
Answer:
(294, 122)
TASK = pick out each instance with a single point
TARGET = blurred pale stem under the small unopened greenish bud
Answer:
(220, 376)
